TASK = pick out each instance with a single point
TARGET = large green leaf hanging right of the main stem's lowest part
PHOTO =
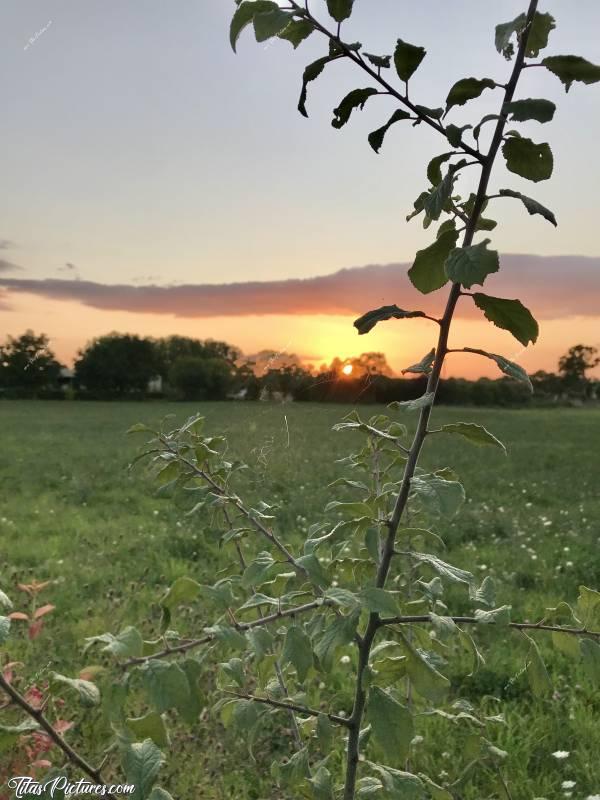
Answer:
(391, 724)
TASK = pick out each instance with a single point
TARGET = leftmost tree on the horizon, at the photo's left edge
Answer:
(27, 363)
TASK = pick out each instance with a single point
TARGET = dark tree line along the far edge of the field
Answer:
(126, 366)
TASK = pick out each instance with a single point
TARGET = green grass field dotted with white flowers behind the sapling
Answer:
(73, 514)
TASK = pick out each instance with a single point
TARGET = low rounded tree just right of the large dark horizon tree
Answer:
(199, 378)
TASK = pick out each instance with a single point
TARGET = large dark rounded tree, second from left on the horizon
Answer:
(117, 364)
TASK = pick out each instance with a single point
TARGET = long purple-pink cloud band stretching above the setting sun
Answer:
(552, 286)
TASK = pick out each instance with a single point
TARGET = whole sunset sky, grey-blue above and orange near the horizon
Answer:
(154, 182)
